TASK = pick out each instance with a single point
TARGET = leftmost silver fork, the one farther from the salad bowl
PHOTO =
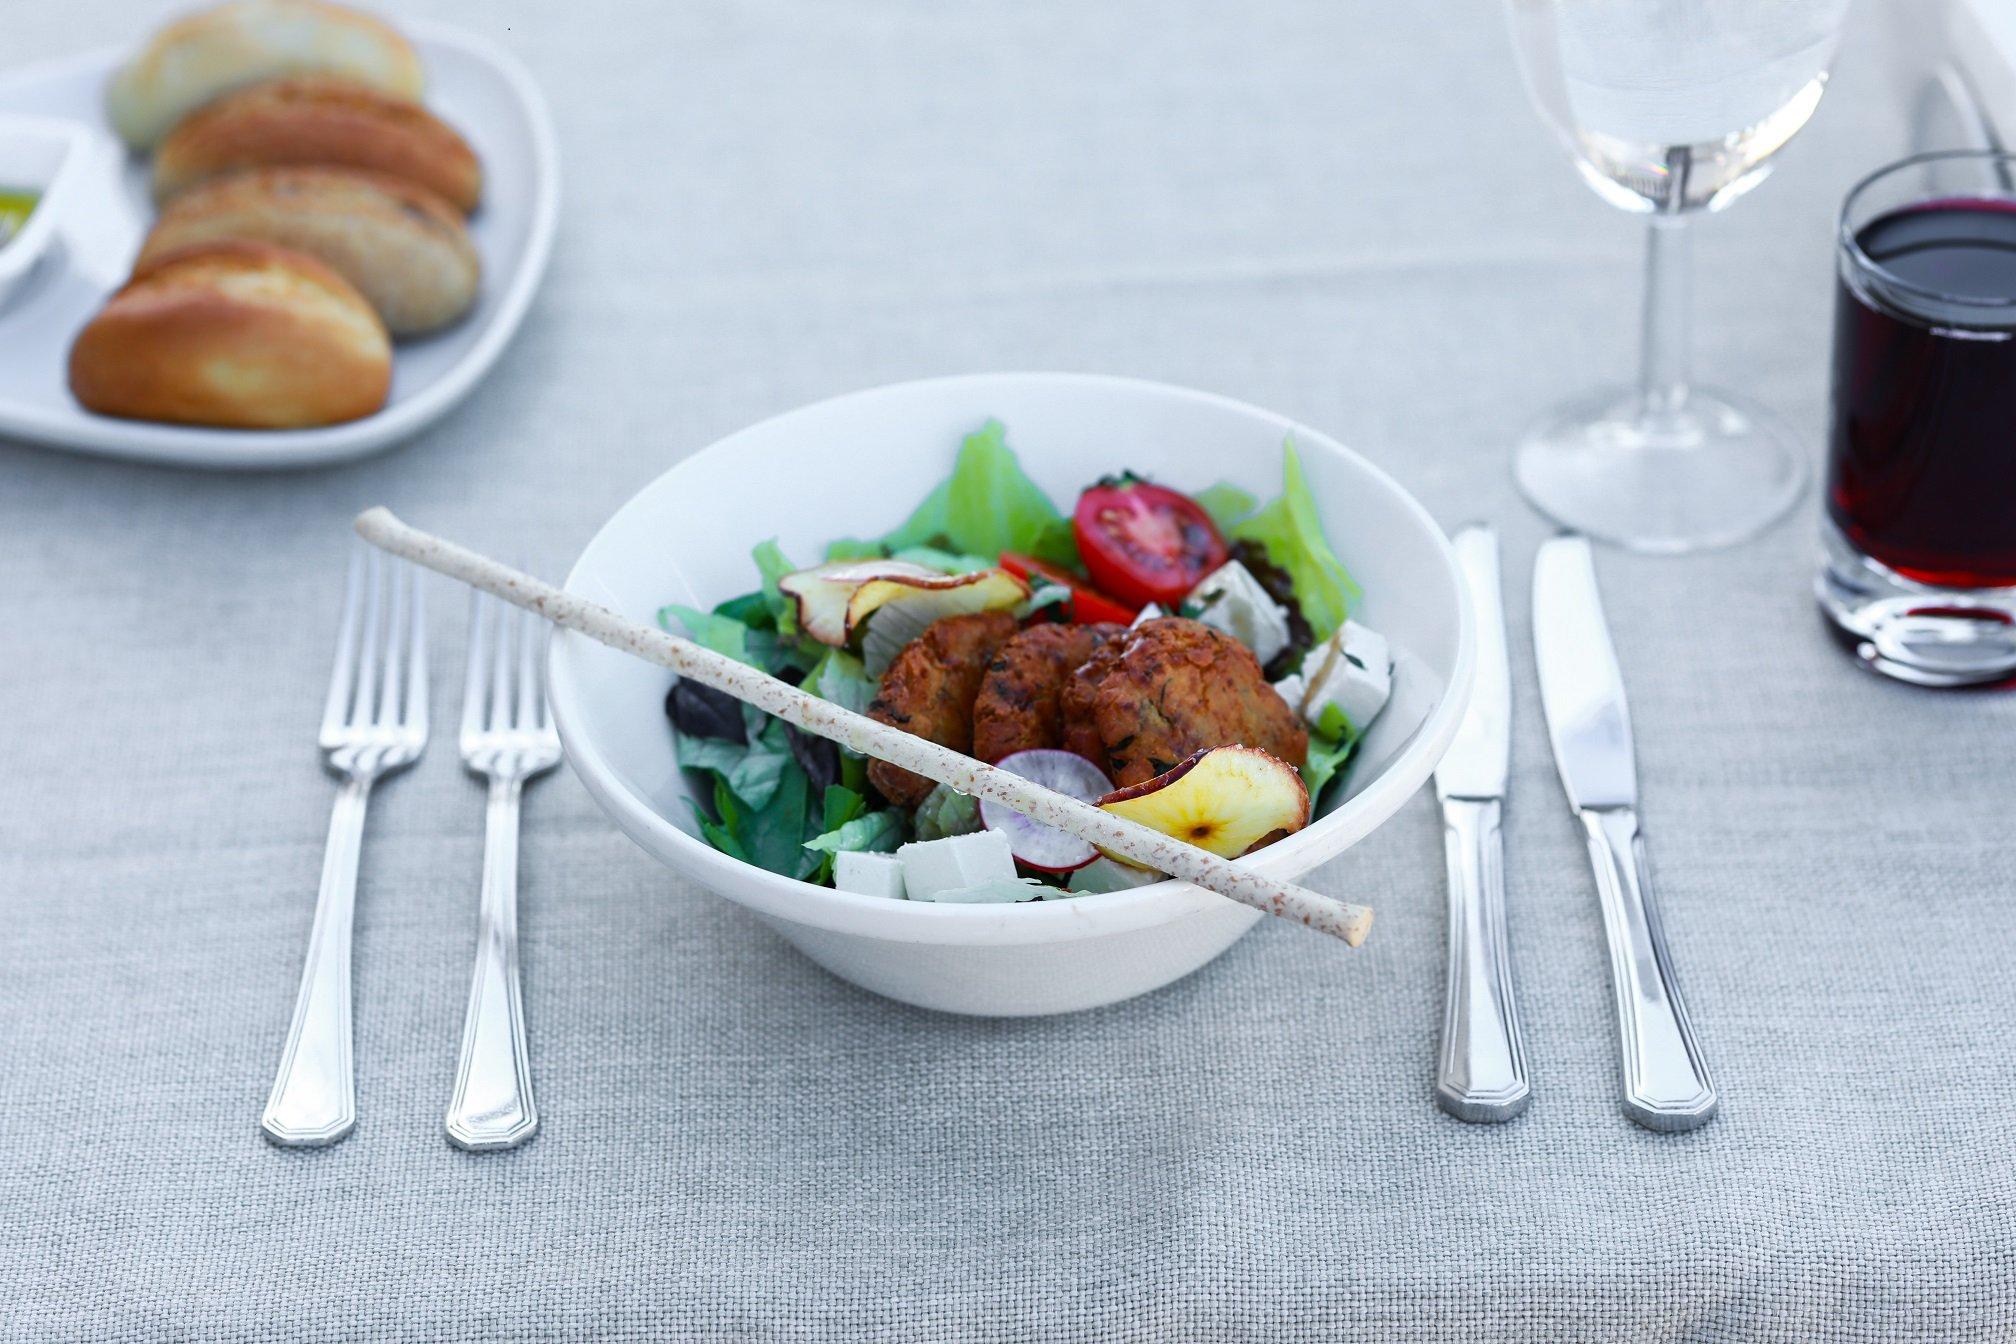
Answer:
(374, 722)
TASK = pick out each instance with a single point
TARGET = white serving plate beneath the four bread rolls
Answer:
(477, 88)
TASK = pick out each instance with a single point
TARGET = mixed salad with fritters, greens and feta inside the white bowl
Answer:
(1180, 660)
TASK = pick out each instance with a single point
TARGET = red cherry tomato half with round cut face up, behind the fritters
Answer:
(1146, 543)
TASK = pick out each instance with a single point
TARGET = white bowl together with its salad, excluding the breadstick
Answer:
(963, 499)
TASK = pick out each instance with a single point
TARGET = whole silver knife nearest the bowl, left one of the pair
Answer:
(1483, 1073)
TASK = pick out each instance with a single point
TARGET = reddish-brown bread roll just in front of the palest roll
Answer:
(320, 120)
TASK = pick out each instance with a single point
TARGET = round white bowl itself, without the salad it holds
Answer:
(856, 466)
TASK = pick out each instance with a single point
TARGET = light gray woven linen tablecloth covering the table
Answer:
(1338, 209)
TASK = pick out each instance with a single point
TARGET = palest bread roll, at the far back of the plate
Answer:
(215, 51)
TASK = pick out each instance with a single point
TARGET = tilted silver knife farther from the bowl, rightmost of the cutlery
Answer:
(1666, 1077)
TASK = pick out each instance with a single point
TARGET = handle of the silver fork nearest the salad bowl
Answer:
(493, 1103)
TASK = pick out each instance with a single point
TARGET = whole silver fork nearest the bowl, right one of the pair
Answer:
(509, 738)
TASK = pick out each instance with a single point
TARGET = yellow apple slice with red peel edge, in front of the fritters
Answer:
(1223, 801)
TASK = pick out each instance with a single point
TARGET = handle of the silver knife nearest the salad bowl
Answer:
(1483, 1075)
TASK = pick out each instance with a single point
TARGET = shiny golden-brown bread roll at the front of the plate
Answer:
(235, 333)
